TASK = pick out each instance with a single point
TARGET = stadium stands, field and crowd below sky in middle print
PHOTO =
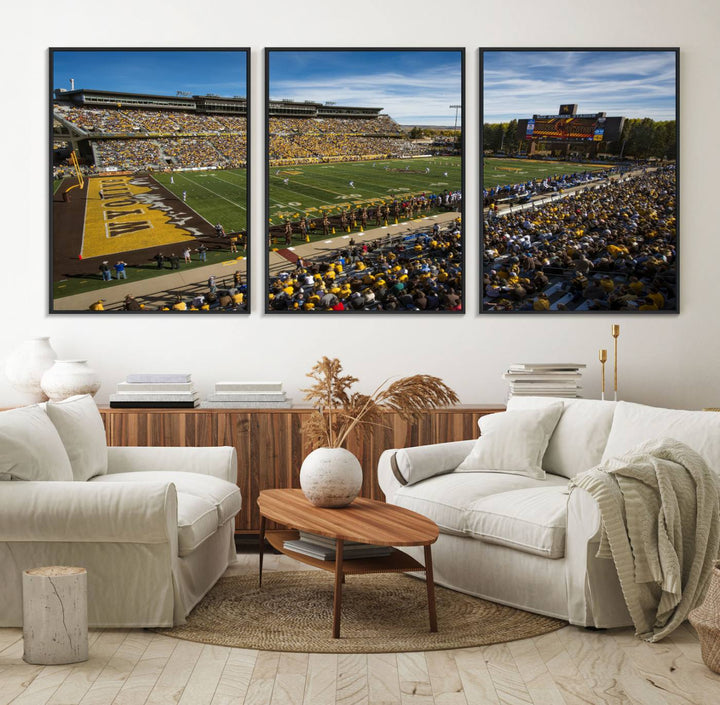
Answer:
(363, 214)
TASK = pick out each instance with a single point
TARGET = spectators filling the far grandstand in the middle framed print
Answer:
(313, 139)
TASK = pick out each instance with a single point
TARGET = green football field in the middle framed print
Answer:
(313, 188)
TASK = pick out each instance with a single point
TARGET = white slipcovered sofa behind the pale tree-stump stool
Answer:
(154, 527)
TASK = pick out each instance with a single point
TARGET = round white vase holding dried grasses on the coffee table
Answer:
(331, 477)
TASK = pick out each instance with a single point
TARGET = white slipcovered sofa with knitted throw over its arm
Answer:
(529, 542)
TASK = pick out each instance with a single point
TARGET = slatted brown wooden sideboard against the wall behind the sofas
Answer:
(270, 443)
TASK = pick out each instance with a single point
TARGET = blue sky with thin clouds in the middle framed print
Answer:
(413, 87)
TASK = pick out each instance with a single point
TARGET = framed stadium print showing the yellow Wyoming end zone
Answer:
(148, 183)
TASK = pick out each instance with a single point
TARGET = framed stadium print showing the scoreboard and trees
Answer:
(580, 180)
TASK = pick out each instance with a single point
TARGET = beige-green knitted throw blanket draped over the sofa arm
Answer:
(660, 524)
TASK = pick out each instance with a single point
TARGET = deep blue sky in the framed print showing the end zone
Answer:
(158, 72)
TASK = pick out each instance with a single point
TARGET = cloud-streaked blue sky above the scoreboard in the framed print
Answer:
(634, 84)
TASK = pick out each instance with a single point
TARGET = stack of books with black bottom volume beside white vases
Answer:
(155, 391)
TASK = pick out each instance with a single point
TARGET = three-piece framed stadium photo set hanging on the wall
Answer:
(365, 199)
